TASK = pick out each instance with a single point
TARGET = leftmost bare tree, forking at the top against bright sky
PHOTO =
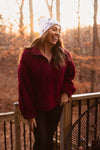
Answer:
(21, 24)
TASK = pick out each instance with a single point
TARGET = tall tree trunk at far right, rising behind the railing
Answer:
(94, 47)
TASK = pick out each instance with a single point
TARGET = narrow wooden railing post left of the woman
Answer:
(17, 127)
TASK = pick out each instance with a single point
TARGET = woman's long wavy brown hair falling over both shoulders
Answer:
(59, 55)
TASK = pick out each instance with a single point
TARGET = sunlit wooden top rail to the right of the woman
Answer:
(86, 96)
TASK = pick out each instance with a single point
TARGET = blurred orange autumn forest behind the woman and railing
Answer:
(82, 41)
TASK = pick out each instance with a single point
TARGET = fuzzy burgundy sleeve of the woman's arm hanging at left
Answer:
(26, 97)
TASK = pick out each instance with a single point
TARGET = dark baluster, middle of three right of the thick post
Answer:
(87, 126)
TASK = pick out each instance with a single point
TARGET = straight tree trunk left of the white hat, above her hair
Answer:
(31, 20)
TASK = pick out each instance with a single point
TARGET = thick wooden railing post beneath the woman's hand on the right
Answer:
(65, 126)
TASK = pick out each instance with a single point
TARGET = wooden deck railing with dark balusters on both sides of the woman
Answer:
(19, 133)
